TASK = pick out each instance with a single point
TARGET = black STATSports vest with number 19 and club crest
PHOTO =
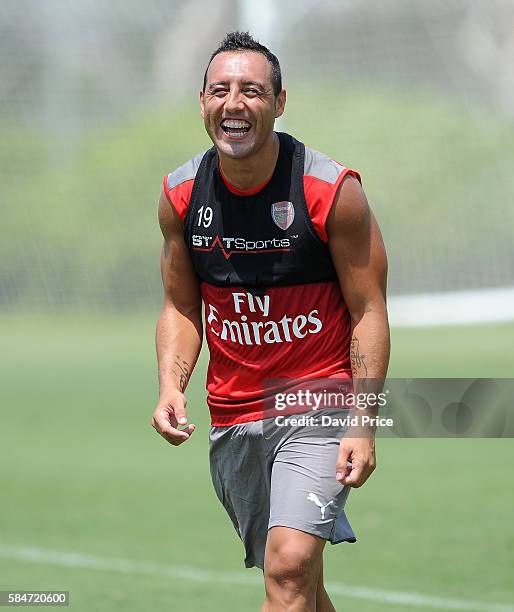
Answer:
(260, 240)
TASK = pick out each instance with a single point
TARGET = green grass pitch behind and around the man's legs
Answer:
(83, 472)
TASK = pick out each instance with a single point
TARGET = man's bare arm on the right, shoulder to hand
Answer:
(360, 260)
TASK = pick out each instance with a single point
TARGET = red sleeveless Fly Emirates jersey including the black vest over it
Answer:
(273, 306)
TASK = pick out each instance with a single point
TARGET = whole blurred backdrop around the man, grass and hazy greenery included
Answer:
(98, 100)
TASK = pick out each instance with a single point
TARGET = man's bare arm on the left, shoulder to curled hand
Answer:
(179, 328)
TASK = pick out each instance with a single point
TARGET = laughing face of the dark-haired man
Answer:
(238, 105)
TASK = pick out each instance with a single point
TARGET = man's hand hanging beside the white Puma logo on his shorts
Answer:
(360, 452)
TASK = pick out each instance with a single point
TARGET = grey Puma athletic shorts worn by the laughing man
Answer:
(267, 476)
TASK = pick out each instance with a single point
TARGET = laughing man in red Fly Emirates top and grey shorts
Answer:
(279, 243)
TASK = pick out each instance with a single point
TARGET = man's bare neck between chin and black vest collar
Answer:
(249, 172)
